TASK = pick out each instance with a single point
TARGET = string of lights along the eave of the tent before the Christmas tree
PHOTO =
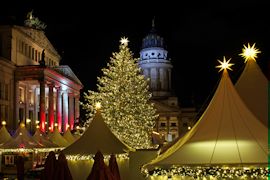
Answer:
(79, 157)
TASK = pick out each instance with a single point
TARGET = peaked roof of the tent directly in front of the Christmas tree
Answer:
(97, 137)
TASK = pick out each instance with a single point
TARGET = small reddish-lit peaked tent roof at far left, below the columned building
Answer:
(21, 139)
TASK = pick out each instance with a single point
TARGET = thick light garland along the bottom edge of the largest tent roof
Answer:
(212, 172)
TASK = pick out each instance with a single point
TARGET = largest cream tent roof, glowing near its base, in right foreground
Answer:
(228, 133)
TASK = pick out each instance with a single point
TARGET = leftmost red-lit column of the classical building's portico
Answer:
(42, 113)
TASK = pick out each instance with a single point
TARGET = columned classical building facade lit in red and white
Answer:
(34, 87)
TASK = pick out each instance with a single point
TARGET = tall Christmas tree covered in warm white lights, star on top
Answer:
(125, 98)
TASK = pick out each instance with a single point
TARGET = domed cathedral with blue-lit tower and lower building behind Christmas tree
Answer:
(174, 121)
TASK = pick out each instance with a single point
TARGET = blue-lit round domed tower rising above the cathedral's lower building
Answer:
(155, 64)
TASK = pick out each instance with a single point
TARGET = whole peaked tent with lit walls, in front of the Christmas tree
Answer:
(96, 137)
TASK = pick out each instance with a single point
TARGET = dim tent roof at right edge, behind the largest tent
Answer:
(252, 86)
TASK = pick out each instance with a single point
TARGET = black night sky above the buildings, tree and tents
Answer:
(196, 35)
